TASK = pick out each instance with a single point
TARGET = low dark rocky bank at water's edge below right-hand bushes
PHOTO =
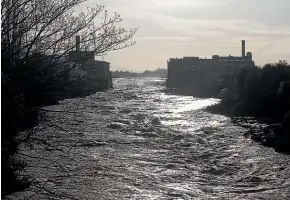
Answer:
(274, 133)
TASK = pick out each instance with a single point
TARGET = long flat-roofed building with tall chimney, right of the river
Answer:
(189, 69)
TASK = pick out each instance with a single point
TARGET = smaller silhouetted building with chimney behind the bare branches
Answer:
(95, 70)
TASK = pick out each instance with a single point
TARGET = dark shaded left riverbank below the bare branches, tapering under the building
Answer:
(20, 112)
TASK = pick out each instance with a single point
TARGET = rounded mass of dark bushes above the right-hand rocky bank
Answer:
(261, 92)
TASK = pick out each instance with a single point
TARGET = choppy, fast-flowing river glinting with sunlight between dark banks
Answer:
(137, 142)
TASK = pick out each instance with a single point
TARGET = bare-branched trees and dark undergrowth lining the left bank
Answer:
(36, 37)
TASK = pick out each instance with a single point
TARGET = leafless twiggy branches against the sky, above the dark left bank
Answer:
(49, 26)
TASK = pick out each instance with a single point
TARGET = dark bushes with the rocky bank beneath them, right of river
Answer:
(261, 92)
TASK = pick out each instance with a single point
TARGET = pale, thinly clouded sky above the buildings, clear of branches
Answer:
(177, 28)
